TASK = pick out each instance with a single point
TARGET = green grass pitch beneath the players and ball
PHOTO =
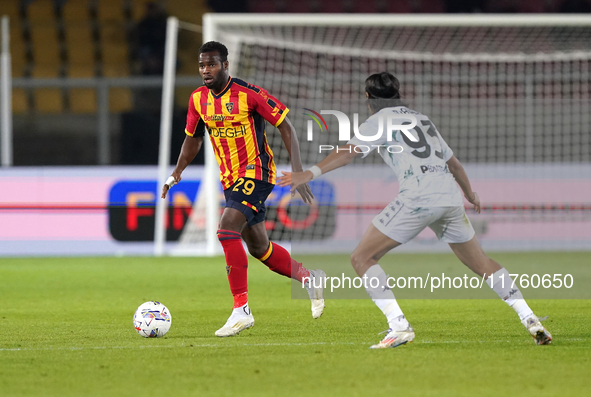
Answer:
(66, 330)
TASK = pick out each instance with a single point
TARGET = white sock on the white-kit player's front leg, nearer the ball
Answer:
(384, 298)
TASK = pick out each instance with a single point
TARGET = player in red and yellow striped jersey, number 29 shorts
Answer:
(234, 113)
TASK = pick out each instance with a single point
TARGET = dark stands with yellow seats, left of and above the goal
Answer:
(105, 39)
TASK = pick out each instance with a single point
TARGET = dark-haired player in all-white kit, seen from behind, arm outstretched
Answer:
(427, 172)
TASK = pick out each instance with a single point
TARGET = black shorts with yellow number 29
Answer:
(248, 196)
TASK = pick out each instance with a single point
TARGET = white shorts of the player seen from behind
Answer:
(402, 224)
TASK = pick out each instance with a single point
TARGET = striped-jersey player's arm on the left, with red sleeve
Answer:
(195, 131)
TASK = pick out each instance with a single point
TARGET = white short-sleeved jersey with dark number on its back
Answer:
(420, 167)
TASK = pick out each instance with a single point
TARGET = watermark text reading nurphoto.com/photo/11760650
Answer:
(437, 282)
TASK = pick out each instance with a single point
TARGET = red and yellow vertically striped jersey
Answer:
(235, 120)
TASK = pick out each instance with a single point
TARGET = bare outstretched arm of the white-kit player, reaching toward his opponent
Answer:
(336, 159)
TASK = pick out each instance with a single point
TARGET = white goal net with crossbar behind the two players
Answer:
(509, 93)
